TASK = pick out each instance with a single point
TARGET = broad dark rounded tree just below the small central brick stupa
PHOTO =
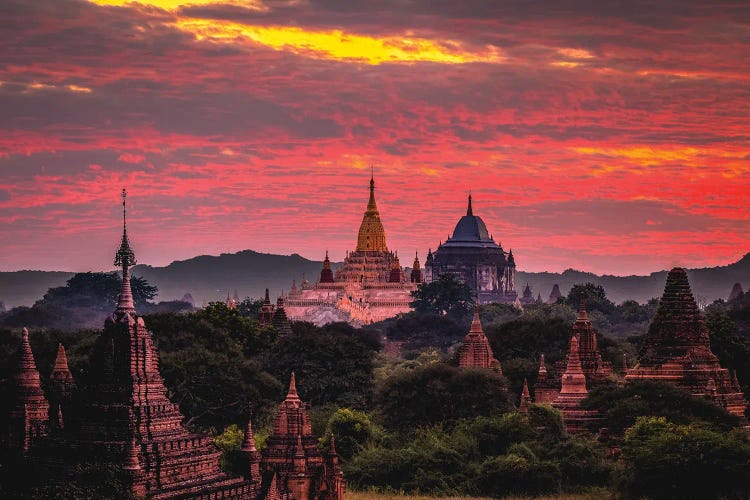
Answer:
(440, 393)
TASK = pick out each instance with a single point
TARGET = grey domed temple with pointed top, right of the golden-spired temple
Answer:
(472, 255)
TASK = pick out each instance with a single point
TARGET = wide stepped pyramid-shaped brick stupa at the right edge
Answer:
(678, 349)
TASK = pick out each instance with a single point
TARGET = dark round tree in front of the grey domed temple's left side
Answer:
(446, 296)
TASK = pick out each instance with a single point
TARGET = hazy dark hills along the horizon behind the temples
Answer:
(209, 278)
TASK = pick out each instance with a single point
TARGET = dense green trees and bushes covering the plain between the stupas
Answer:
(418, 422)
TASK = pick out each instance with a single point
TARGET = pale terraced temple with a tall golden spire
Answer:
(370, 286)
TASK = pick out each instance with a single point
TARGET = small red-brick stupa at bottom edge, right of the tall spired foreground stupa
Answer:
(292, 456)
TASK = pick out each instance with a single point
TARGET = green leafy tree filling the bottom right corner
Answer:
(665, 460)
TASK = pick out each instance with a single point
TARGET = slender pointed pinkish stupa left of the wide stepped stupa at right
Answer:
(572, 392)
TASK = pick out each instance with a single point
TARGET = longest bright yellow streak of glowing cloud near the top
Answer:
(338, 45)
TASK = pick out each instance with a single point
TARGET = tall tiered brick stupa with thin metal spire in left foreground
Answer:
(124, 417)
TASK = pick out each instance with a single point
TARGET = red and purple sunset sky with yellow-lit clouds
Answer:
(600, 135)
